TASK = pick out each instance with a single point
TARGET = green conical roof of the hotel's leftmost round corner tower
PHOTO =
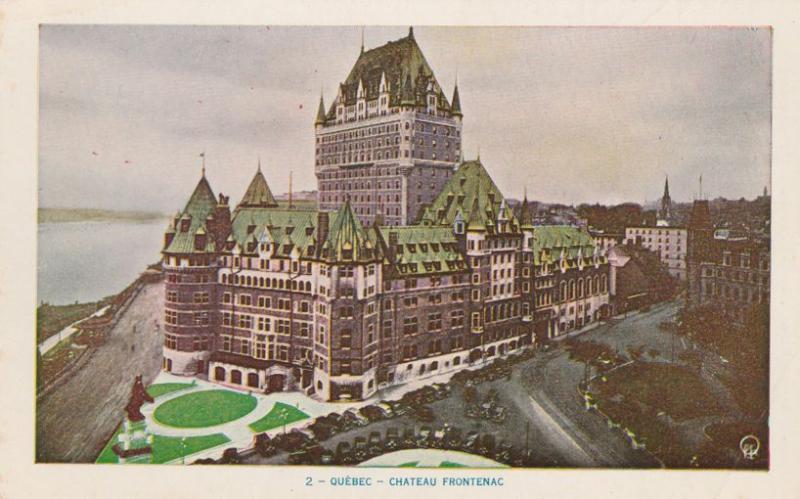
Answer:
(201, 204)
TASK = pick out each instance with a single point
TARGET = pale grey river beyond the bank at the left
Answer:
(86, 261)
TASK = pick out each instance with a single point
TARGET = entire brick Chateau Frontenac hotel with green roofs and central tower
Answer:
(414, 265)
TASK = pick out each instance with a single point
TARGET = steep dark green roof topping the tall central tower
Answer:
(402, 63)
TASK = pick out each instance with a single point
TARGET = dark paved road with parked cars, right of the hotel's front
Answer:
(544, 406)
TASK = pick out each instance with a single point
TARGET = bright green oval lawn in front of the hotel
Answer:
(205, 408)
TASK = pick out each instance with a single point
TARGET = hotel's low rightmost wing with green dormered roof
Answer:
(571, 280)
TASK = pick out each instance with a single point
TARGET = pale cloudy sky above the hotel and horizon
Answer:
(572, 115)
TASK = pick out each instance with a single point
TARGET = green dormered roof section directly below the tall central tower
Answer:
(423, 250)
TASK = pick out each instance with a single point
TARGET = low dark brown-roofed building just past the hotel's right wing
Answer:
(637, 278)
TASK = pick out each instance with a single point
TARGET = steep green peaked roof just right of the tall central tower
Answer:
(471, 192)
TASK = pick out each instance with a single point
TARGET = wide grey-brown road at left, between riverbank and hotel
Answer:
(76, 419)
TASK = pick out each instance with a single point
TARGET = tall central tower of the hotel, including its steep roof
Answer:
(390, 139)
